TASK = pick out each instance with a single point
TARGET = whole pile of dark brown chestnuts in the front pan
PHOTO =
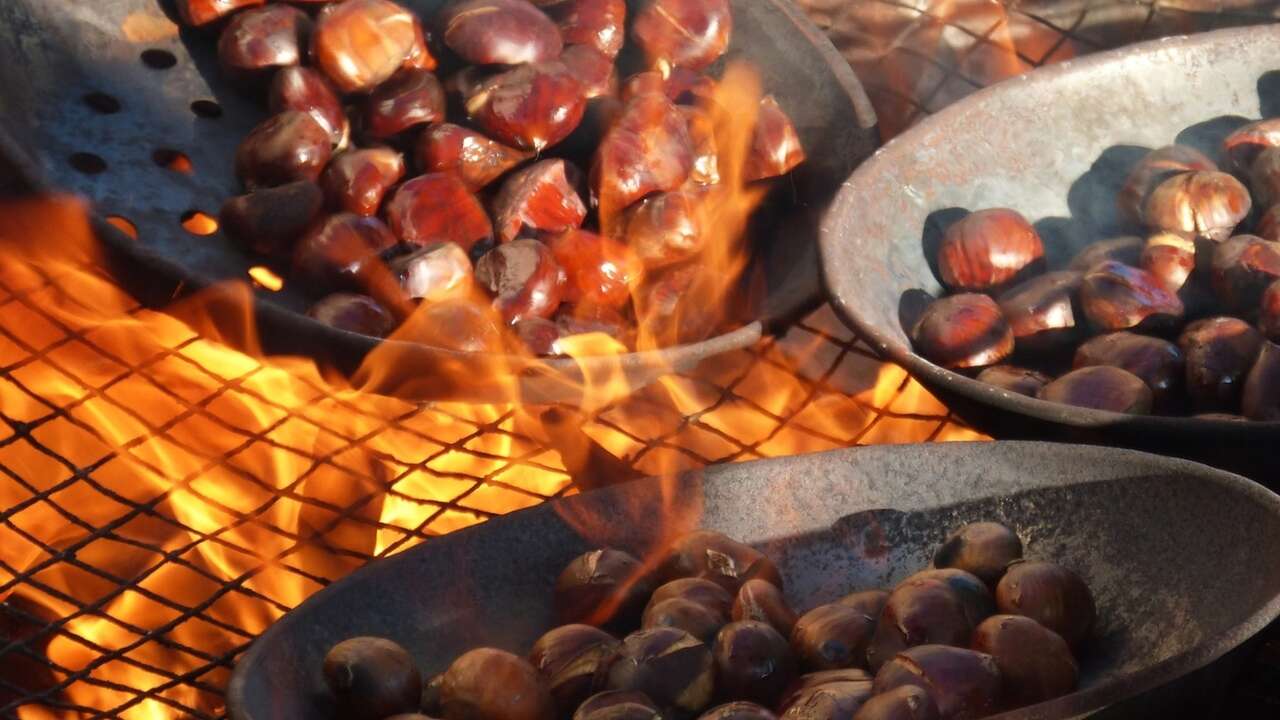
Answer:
(982, 632)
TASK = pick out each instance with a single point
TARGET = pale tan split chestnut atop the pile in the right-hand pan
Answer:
(1199, 206)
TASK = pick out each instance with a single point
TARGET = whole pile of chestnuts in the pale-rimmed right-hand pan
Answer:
(1182, 321)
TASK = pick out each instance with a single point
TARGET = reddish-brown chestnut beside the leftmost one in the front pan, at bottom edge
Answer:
(495, 685)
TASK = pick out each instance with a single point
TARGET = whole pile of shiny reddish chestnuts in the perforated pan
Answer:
(501, 229)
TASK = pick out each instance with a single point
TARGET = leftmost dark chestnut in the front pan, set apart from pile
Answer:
(372, 678)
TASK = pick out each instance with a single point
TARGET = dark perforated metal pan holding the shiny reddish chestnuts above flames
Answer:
(172, 98)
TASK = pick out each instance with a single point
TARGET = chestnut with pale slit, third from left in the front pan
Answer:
(569, 660)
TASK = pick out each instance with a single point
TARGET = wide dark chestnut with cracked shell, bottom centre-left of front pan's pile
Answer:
(675, 669)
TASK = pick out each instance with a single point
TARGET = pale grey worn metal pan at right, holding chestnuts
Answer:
(1055, 145)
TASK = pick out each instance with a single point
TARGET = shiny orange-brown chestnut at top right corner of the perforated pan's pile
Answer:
(685, 34)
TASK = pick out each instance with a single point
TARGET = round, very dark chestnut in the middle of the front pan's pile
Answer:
(753, 663)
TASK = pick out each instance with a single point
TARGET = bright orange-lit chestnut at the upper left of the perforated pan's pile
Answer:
(360, 44)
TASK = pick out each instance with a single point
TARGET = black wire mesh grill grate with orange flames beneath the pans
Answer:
(130, 593)
